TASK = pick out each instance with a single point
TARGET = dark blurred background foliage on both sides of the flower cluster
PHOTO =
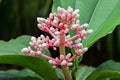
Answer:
(18, 17)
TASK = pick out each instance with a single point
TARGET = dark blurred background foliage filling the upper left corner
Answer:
(18, 17)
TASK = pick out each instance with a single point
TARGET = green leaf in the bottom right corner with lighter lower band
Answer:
(107, 70)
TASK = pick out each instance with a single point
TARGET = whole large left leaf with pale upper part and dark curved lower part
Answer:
(10, 53)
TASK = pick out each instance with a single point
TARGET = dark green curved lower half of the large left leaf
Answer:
(38, 65)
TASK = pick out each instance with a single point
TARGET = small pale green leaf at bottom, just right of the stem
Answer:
(83, 72)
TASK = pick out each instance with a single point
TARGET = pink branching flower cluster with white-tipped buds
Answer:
(57, 25)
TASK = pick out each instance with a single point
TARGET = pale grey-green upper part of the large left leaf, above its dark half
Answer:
(14, 46)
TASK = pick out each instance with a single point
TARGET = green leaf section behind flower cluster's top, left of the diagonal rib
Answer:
(86, 8)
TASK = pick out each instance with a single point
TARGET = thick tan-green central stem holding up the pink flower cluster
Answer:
(62, 52)
